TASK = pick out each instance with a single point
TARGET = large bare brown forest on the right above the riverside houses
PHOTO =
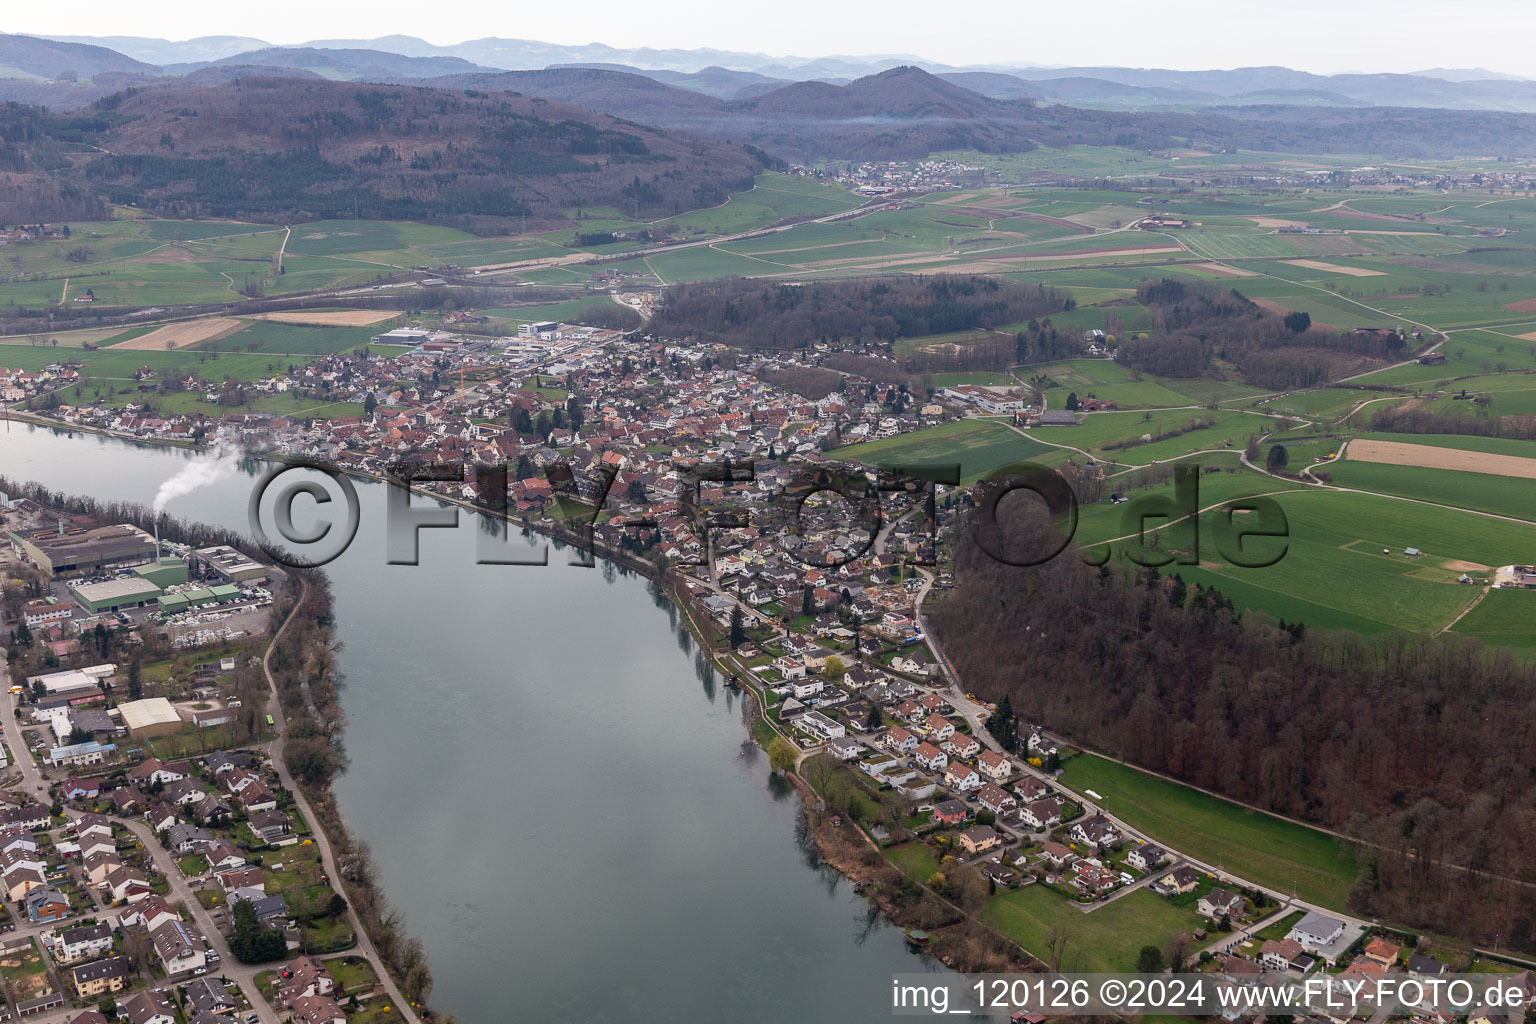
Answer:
(1422, 748)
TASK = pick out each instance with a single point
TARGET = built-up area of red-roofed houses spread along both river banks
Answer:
(677, 458)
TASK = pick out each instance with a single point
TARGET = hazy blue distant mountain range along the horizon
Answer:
(744, 76)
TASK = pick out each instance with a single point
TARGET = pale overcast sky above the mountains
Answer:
(1320, 36)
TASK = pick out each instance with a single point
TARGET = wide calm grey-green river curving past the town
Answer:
(560, 799)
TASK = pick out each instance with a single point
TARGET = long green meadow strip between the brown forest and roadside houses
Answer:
(1250, 844)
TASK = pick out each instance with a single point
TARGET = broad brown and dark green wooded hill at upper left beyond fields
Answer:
(296, 148)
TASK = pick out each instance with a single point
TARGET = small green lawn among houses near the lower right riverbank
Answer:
(1108, 939)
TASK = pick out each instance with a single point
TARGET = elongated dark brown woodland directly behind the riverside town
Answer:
(750, 314)
